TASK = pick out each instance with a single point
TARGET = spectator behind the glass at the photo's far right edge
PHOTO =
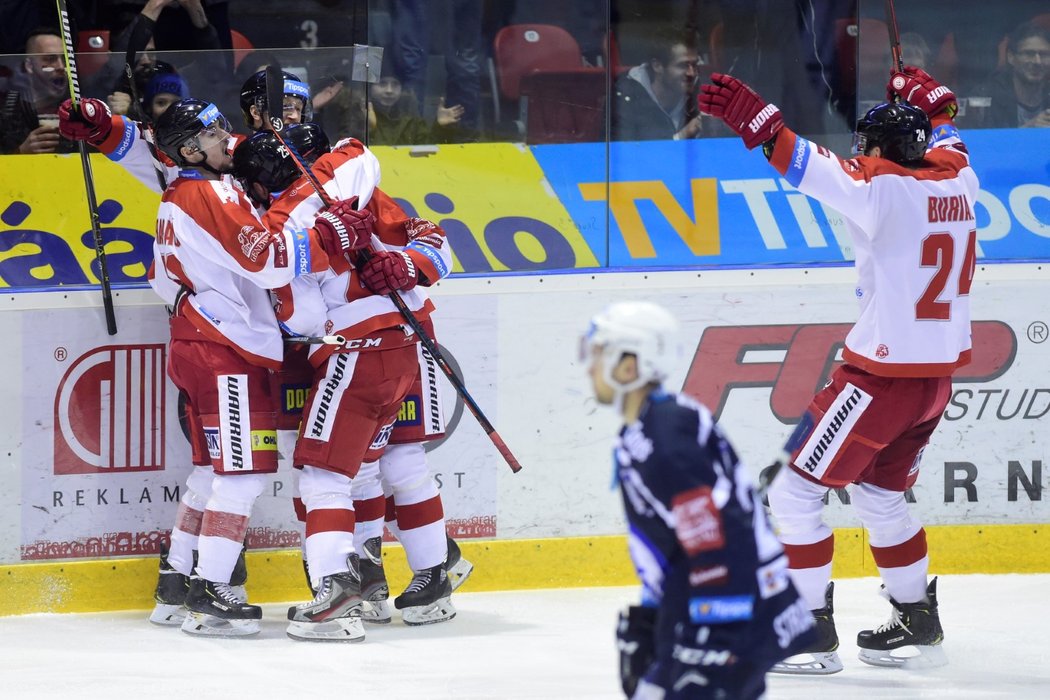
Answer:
(1021, 90)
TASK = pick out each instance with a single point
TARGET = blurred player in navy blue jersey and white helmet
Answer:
(719, 609)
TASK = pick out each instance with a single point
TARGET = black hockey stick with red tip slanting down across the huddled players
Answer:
(276, 96)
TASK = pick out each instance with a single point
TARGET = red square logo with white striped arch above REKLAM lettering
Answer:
(110, 412)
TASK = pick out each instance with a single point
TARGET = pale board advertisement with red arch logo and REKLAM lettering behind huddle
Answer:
(103, 459)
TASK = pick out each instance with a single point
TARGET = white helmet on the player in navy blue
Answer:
(642, 329)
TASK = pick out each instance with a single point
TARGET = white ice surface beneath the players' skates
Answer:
(537, 645)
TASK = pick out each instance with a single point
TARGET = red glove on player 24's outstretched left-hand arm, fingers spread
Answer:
(742, 109)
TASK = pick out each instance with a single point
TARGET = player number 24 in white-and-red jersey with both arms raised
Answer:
(909, 198)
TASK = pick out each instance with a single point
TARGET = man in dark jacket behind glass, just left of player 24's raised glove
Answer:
(658, 99)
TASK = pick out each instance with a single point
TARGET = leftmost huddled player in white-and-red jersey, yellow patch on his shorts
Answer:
(225, 343)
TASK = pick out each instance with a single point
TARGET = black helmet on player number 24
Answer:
(901, 131)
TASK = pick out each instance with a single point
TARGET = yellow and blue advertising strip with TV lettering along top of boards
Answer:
(508, 207)
